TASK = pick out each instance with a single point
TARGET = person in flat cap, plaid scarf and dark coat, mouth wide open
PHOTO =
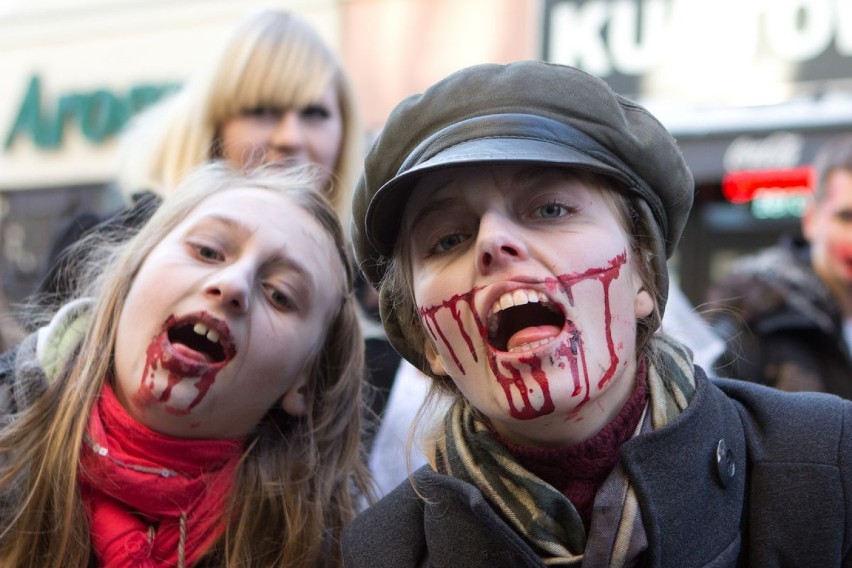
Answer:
(518, 220)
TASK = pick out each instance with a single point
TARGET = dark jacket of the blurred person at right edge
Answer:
(781, 325)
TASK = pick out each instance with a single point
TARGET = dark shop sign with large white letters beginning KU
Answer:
(648, 47)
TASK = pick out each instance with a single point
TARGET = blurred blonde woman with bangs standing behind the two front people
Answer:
(272, 91)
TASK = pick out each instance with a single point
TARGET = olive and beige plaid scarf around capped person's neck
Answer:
(538, 512)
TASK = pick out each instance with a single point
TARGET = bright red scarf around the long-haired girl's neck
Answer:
(152, 500)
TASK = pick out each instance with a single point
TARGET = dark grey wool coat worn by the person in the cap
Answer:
(787, 501)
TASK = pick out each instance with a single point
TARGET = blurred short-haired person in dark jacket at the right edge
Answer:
(785, 312)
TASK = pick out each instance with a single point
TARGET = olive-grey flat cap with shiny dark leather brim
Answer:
(528, 112)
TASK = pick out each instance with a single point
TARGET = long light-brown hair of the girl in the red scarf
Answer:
(300, 478)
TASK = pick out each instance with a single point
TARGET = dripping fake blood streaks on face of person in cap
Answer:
(512, 374)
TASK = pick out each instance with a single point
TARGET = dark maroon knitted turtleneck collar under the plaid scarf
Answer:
(578, 471)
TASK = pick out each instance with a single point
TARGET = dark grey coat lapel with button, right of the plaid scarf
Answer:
(690, 479)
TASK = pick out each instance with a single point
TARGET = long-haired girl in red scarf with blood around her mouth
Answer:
(202, 413)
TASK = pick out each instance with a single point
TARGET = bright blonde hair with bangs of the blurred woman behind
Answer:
(271, 58)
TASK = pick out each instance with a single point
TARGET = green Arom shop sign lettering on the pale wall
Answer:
(99, 114)
